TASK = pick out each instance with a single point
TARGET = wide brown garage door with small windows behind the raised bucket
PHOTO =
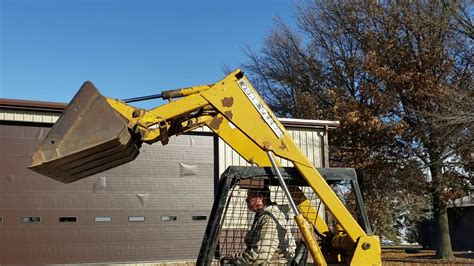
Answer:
(152, 209)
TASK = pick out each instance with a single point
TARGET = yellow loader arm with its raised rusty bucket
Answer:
(81, 144)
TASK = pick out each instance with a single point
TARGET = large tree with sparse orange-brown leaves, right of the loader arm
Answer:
(398, 76)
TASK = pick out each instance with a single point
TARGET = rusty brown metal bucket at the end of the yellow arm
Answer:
(89, 137)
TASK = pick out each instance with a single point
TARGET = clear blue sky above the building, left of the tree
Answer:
(126, 48)
